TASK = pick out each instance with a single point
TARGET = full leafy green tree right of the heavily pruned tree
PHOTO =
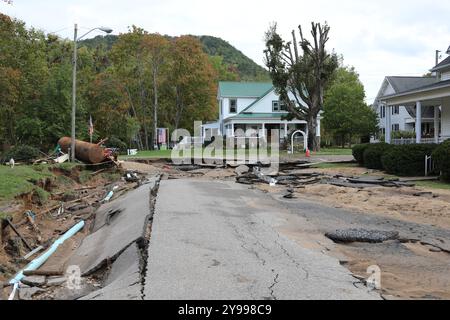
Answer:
(346, 115)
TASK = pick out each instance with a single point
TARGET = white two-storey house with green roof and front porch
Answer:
(252, 107)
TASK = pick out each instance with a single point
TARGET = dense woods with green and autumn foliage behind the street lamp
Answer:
(128, 84)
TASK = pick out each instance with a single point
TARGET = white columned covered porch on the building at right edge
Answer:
(434, 100)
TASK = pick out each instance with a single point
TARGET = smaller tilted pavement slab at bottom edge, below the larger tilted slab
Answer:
(124, 280)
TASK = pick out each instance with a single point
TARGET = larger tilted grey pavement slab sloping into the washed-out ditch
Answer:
(113, 234)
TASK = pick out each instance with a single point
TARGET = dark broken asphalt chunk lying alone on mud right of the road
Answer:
(362, 235)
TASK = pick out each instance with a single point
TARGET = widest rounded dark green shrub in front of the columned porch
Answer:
(407, 160)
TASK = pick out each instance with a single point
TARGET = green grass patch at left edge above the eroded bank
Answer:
(20, 179)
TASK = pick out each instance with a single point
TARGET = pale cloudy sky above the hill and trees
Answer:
(378, 37)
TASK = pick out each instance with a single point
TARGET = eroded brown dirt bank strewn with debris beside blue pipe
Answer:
(71, 195)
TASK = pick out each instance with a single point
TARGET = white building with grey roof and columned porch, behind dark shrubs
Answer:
(417, 104)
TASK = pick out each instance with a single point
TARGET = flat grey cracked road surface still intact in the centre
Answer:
(219, 240)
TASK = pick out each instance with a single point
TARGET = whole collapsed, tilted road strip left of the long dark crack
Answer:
(118, 243)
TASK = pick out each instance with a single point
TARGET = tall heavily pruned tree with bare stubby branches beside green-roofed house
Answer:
(301, 70)
